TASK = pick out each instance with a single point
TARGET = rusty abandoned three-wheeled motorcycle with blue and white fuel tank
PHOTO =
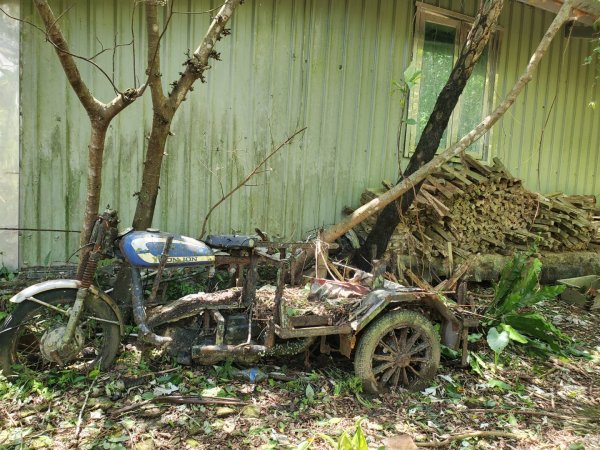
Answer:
(72, 323)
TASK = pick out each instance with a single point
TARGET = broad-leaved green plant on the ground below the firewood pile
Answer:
(510, 317)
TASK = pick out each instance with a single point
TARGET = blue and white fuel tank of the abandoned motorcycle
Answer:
(144, 249)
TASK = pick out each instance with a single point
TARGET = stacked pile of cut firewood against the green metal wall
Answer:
(474, 208)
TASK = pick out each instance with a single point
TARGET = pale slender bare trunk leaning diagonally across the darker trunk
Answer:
(377, 204)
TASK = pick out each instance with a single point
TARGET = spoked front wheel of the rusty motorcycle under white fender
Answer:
(29, 336)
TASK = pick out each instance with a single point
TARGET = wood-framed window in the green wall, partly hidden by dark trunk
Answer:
(439, 37)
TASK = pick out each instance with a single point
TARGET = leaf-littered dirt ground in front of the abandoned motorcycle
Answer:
(523, 403)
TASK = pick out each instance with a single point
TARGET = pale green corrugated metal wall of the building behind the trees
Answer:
(327, 65)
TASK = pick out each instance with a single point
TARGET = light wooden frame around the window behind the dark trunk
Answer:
(462, 24)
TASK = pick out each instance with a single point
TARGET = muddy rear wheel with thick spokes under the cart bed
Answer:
(401, 349)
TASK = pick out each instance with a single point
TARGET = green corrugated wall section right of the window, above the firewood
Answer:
(550, 137)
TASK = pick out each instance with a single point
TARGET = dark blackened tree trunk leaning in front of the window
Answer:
(427, 146)
